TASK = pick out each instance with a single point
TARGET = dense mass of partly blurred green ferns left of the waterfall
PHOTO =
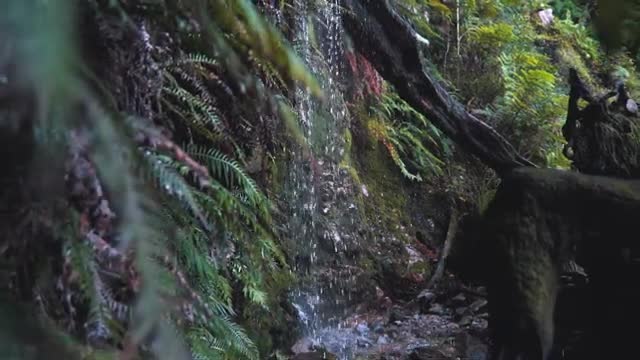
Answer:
(194, 225)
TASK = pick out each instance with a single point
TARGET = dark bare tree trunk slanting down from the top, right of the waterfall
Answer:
(390, 44)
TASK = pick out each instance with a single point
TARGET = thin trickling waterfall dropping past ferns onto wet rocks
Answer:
(320, 219)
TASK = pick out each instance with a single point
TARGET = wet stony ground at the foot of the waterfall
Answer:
(445, 324)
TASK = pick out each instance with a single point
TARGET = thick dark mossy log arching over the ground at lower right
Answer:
(530, 230)
